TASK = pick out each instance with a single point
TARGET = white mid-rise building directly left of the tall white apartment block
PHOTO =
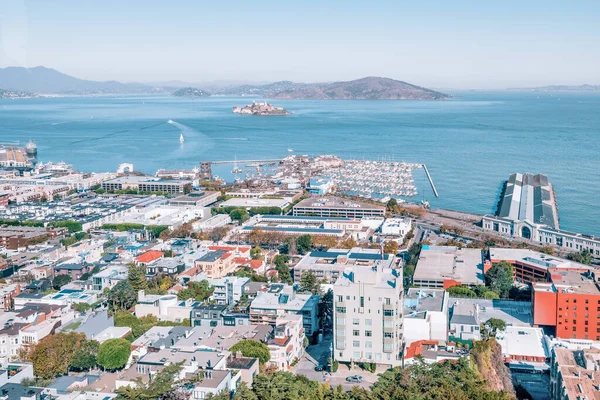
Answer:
(280, 300)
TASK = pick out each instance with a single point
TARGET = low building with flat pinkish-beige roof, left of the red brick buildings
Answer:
(441, 267)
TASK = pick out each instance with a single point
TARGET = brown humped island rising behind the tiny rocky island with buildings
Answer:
(370, 88)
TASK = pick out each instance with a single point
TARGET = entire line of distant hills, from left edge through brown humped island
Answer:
(44, 80)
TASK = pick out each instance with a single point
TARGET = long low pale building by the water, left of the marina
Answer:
(148, 184)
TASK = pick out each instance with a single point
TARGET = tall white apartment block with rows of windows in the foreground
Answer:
(368, 319)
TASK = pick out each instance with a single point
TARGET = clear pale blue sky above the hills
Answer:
(481, 44)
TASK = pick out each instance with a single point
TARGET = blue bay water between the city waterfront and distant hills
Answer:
(470, 144)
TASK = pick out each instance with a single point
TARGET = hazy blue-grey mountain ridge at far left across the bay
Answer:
(47, 80)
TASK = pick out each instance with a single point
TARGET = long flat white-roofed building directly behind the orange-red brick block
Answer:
(532, 266)
